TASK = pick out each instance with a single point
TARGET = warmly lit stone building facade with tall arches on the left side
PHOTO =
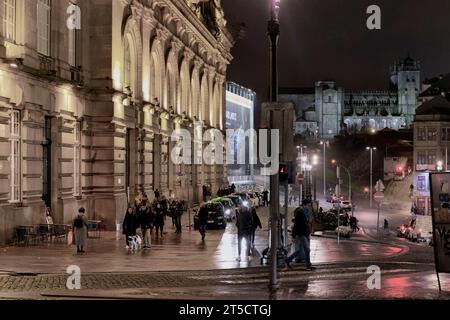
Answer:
(90, 92)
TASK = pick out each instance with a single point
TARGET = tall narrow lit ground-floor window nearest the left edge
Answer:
(15, 141)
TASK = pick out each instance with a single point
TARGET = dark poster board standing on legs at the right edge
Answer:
(440, 202)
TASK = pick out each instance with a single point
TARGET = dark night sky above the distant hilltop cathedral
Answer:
(328, 39)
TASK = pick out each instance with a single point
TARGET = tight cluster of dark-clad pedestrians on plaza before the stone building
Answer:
(148, 216)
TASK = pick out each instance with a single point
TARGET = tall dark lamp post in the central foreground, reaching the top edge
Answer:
(273, 31)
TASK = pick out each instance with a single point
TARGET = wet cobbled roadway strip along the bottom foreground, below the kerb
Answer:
(334, 281)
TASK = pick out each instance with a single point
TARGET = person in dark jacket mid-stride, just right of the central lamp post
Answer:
(301, 233)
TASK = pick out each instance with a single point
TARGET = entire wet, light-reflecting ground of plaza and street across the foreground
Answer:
(185, 268)
